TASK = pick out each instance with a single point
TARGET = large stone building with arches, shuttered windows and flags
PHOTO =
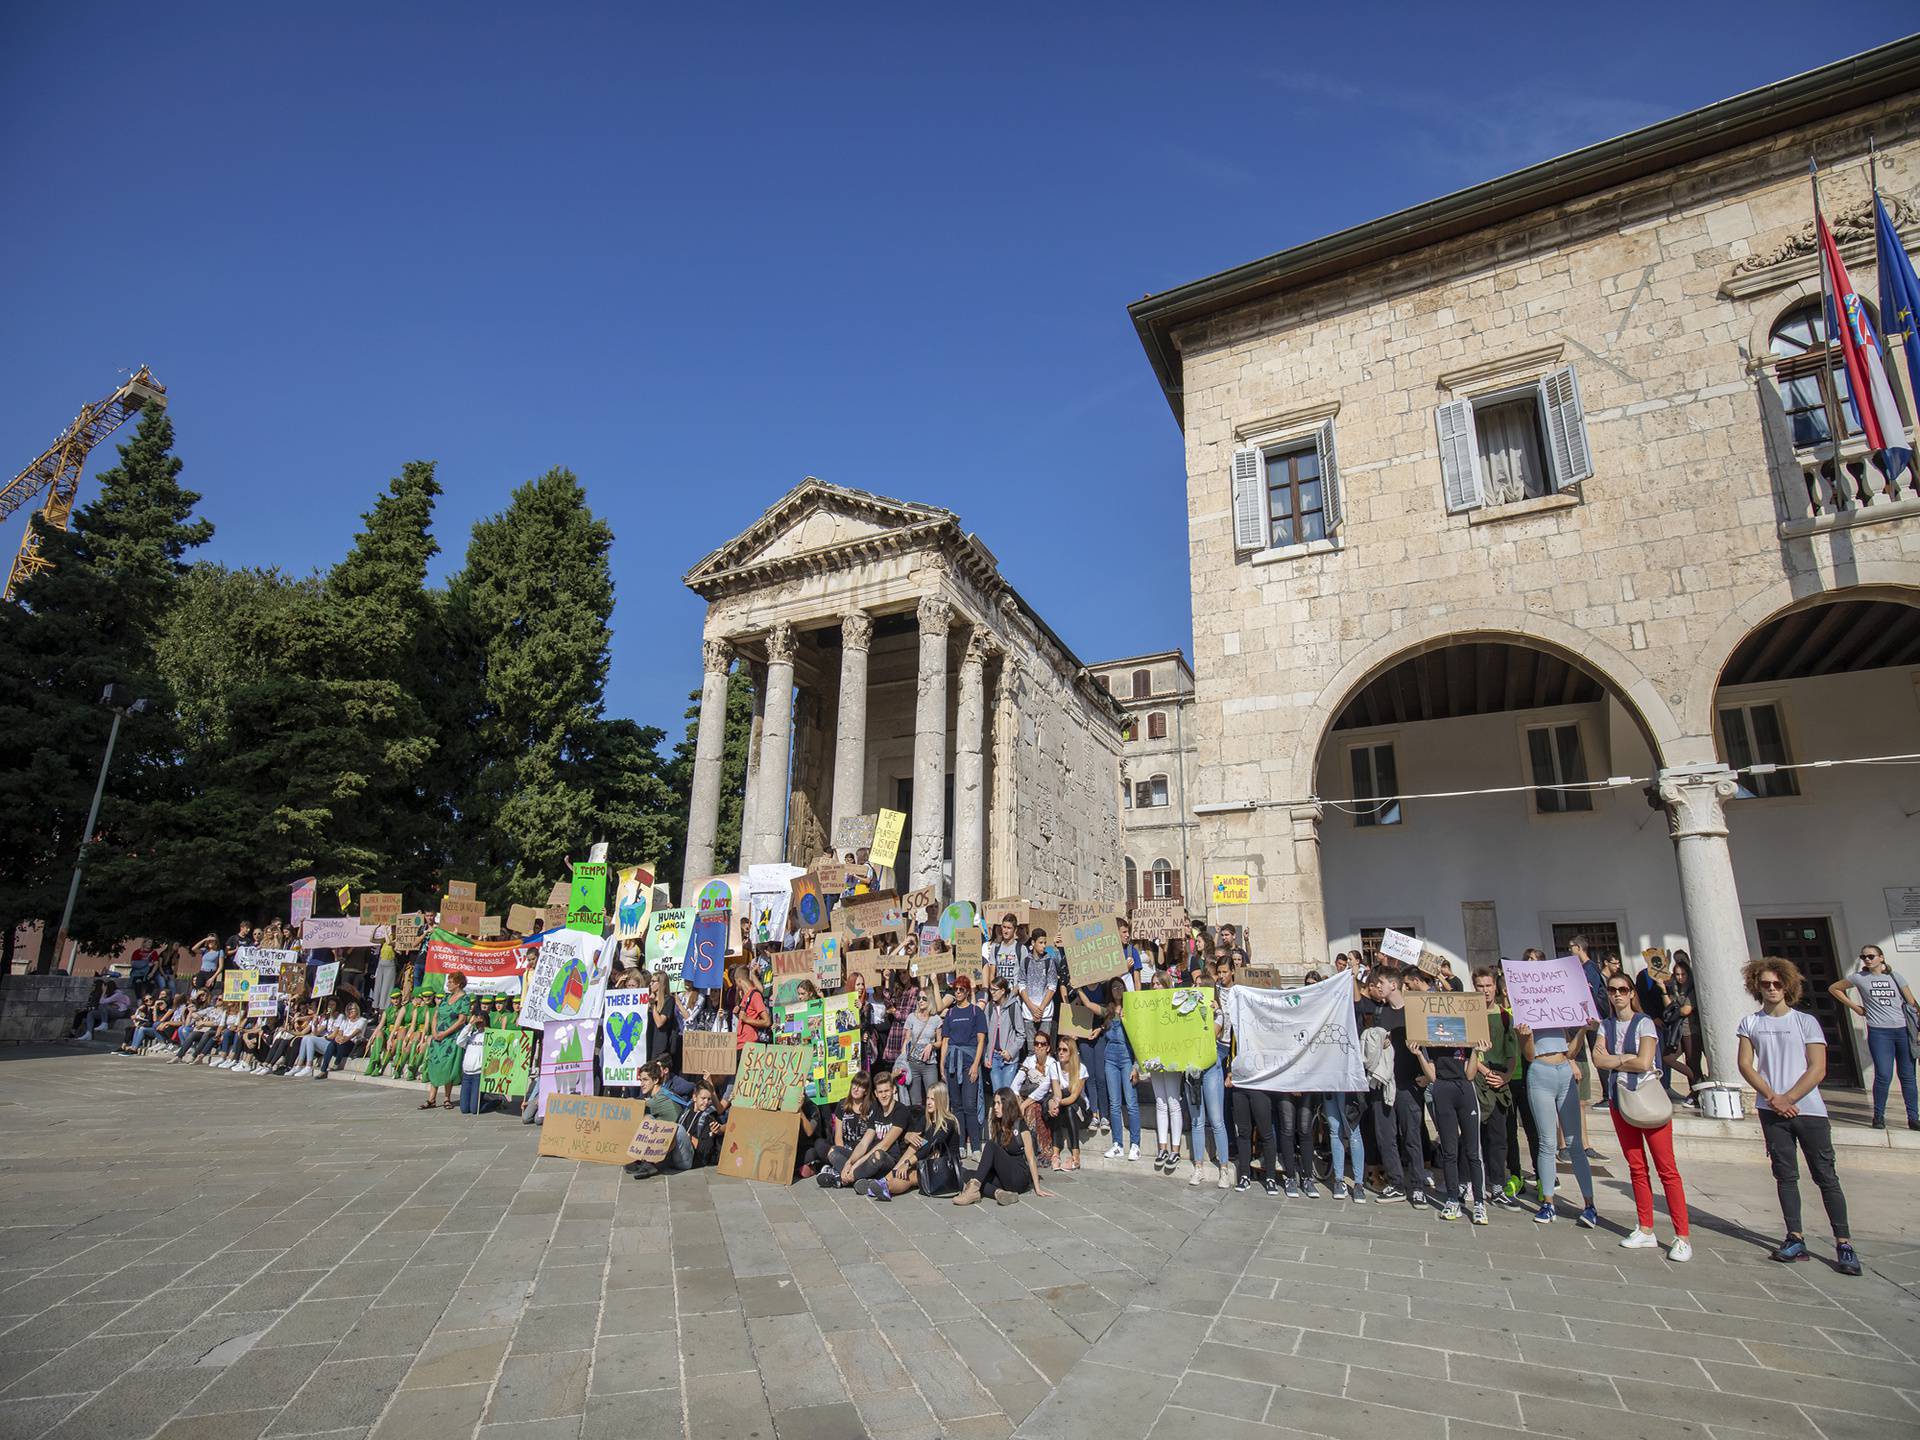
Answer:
(1533, 489)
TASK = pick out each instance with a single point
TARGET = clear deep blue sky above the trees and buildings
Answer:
(698, 260)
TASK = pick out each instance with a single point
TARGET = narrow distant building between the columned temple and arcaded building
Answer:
(1157, 694)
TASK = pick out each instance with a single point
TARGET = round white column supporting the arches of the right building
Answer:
(1696, 815)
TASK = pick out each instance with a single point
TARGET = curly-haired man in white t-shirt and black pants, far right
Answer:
(1783, 1057)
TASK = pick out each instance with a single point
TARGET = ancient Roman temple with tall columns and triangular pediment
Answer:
(898, 669)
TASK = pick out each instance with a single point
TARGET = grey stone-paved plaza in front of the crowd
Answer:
(224, 1259)
